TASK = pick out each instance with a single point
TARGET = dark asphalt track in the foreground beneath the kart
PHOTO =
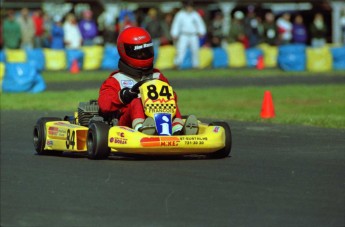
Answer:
(277, 175)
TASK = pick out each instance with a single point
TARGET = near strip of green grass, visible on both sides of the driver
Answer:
(321, 105)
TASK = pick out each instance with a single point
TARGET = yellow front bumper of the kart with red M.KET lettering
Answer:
(127, 140)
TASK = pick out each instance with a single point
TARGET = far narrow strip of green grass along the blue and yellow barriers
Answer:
(58, 76)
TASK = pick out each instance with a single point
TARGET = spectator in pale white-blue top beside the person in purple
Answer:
(72, 35)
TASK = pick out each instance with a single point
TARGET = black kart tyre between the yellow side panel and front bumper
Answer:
(97, 141)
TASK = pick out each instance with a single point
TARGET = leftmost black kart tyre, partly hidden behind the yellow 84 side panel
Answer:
(40, 134)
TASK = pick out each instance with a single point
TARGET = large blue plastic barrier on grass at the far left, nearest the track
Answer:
(22, 77)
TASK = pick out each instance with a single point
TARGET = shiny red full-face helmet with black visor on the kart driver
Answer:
(135, 47)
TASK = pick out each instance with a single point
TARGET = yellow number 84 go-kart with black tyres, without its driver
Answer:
(98, 136)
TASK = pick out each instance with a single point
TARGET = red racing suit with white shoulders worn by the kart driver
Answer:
(129, 115)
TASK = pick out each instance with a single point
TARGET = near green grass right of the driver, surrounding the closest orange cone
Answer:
(307, 105)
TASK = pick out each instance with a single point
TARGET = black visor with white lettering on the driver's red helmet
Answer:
(139, 51)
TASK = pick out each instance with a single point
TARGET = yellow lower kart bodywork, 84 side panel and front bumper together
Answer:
(64, 136)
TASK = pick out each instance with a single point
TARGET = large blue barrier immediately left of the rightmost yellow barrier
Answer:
(292, 57)
